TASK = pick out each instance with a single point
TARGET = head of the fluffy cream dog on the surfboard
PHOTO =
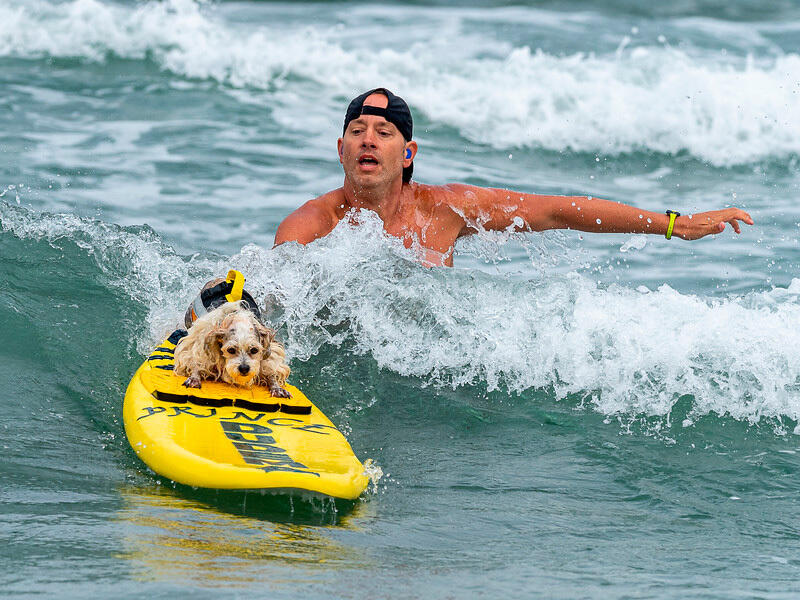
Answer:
(243, 342)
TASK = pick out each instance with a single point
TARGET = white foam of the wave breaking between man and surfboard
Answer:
(622, 351)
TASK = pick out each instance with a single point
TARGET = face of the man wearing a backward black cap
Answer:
(372, 149)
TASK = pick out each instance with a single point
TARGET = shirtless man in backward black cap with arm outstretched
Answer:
(377, 153)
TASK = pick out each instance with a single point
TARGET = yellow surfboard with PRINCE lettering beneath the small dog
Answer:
(226, 437)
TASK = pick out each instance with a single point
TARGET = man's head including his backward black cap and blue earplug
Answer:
(376, 145)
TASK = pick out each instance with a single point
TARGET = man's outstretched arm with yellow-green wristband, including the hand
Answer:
(499, 210)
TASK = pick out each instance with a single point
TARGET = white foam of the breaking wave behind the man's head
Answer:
(723, 109)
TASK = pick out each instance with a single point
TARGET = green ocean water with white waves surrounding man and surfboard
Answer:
(561, 415)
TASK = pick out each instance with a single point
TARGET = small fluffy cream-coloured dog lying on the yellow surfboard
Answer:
(231, 345)
